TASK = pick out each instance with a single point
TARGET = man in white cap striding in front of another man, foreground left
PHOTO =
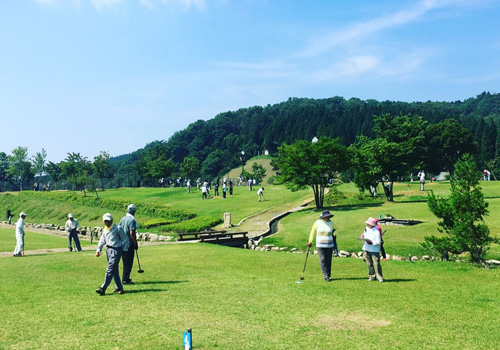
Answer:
(115, 240)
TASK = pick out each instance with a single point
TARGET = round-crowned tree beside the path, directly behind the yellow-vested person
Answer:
(316, 164)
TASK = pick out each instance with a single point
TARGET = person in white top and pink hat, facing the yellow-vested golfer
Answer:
(371, 250)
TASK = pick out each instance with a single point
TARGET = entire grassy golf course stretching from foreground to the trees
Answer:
(240, 298)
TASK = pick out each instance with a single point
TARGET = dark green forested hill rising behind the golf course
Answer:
(217, 142)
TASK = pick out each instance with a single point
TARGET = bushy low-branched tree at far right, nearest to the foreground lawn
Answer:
(462, 215)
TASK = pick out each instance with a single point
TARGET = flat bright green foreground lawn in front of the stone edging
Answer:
(241, 299)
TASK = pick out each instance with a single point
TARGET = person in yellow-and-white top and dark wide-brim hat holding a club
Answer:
(323, 229)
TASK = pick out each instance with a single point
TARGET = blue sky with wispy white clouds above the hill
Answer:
(112, 75)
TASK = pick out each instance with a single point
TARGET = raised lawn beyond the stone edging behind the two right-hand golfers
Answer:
(351, 213)
